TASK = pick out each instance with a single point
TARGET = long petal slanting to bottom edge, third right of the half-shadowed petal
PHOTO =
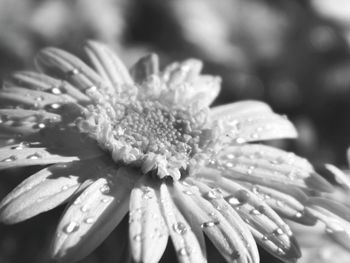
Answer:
(225, 237)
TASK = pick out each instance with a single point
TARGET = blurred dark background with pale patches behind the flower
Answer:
(295, 55)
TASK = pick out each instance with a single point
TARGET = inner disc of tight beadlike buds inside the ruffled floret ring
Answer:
(152, 128)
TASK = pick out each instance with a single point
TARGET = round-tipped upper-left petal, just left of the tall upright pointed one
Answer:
(66, 65)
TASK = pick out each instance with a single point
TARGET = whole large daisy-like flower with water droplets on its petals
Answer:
(146, 142)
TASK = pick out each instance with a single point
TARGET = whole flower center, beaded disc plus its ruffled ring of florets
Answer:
(149, 135)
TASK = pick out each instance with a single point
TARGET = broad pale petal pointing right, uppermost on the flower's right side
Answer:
(249, 121)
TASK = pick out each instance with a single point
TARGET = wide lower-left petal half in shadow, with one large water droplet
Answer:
(93, 215)
